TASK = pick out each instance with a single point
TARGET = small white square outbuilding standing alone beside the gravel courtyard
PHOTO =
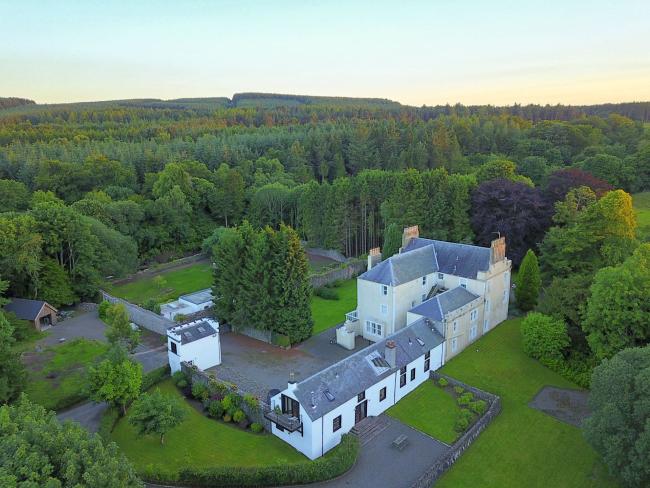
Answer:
(195, 342)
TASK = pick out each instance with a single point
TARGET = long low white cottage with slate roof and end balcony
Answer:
(313, 414)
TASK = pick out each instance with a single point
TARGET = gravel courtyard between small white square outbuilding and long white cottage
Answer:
(257, 367)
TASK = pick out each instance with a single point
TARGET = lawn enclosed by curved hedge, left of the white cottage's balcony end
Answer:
(201, 442)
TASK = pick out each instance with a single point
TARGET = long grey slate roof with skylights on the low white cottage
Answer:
(356, 373)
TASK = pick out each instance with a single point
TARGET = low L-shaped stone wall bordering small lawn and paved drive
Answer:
(442, 464)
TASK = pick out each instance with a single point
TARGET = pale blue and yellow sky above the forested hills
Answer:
(415, 52)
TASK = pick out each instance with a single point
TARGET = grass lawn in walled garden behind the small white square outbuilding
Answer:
(178, 282)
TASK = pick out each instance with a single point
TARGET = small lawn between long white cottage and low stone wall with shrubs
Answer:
(429, 409)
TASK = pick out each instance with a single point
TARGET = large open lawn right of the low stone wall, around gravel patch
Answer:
(522, 446)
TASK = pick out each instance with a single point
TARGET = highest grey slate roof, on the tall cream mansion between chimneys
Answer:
(424, 256)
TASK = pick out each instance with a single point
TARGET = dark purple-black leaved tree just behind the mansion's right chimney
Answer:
(517, 211)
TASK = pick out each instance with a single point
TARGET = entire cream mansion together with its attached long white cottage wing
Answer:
(420, 307)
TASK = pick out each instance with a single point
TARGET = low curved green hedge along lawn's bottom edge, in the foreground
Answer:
(333, 464)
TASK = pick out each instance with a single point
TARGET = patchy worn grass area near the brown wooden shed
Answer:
(56, 375)
